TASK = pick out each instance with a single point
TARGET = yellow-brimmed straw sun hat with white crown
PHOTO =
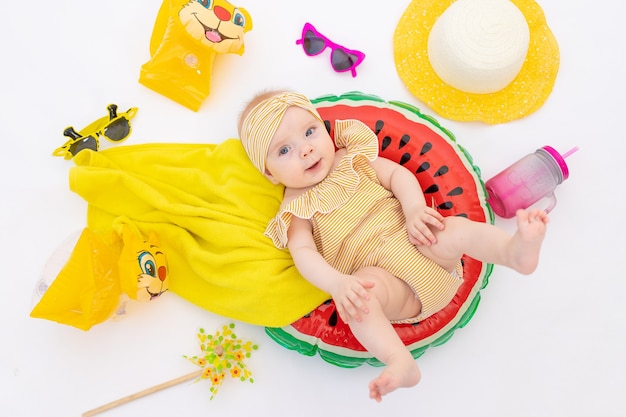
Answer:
(496, 69)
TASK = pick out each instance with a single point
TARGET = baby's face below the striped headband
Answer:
(301, 153)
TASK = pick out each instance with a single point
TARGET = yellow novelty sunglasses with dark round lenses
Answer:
(115, 127)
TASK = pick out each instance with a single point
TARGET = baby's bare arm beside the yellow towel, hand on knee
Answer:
(347, 291)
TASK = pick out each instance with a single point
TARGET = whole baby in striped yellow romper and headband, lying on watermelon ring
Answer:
(359, 228)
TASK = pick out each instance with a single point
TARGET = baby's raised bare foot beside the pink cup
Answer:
(526, 243)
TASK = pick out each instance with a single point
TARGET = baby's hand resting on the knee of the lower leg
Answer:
(350, 295)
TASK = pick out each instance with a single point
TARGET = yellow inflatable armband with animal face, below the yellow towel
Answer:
(101, 270)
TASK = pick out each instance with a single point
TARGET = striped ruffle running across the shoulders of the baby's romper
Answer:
(361, 146)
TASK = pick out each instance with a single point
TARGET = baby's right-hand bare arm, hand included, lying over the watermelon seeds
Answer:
(419, 215)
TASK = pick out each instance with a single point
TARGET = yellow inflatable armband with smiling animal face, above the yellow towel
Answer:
(187, 36)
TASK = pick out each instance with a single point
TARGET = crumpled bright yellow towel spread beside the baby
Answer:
(209, 207)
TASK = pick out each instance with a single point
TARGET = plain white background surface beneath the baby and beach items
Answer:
(551, 344)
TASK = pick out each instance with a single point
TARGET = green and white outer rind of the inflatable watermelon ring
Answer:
(348, 358)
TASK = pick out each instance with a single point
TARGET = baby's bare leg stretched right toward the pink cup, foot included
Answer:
(491, 244)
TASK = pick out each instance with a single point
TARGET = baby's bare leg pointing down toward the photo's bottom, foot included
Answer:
(377, 335)
